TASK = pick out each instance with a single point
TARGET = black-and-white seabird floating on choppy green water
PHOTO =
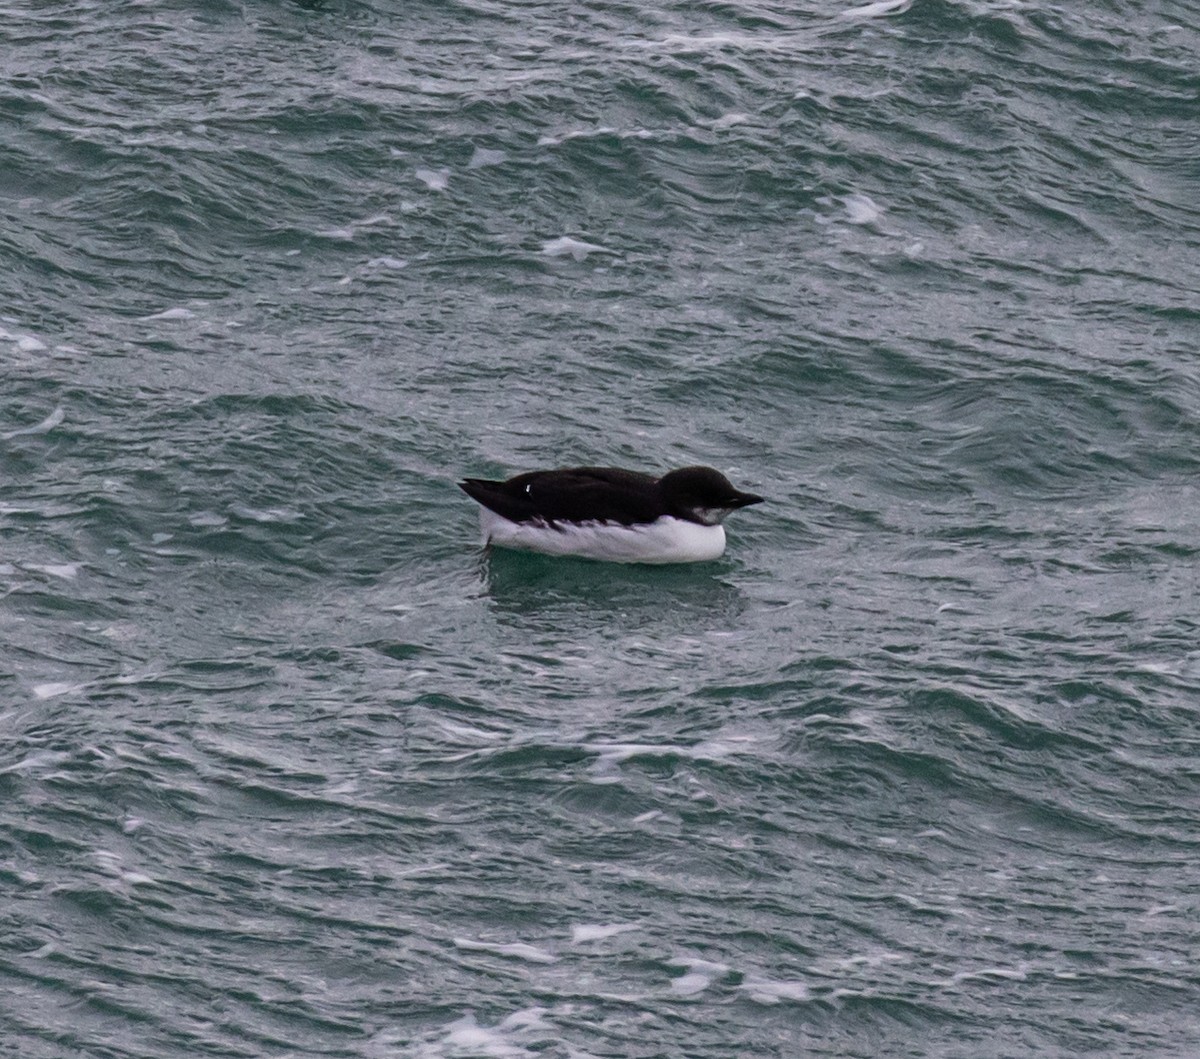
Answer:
(610, 514)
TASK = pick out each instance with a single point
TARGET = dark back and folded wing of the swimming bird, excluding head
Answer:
(572, 495)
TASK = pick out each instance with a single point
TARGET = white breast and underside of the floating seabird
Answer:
(664, 541)
